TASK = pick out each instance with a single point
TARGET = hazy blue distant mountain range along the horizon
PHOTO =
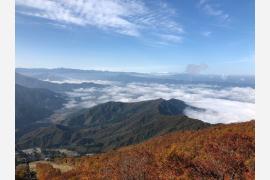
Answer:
(60, 74)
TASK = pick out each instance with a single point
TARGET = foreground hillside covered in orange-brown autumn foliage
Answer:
(219, 152)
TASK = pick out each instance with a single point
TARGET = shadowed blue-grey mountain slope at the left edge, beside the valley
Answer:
(35, 104)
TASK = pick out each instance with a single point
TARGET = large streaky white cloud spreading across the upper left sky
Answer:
(128, 17)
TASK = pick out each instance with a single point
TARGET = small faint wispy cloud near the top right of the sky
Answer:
(212, 9)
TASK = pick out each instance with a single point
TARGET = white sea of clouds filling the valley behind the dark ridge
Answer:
(221, 104)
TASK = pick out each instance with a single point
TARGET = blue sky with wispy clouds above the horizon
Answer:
(136, 35)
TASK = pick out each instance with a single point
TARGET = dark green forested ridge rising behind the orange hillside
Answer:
(112, 125)
